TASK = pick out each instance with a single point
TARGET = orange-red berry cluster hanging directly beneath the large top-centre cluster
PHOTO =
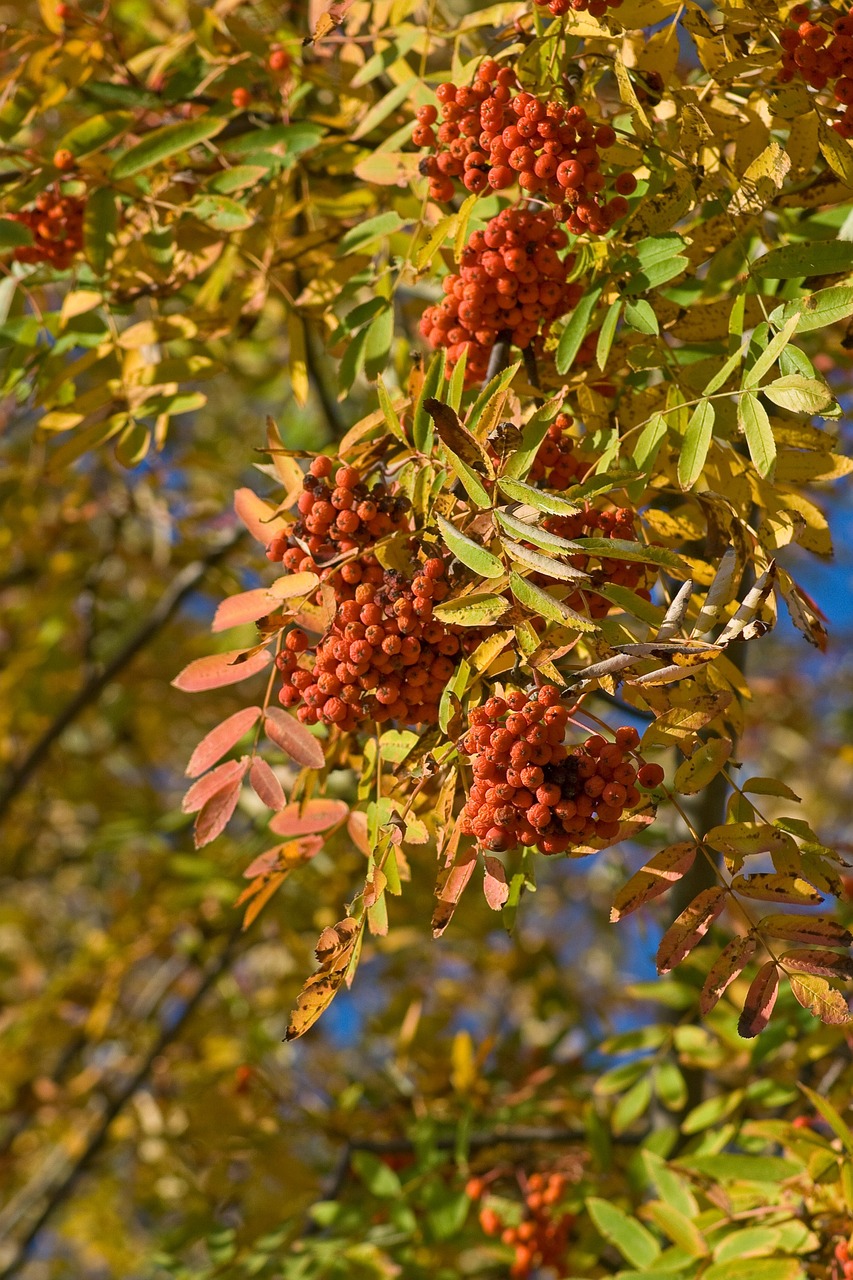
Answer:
(512, 286)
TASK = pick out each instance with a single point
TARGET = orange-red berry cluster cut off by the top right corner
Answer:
(820, 51)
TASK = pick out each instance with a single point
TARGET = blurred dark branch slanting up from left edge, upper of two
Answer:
(183, 586)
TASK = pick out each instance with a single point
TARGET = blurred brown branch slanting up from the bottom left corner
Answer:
(62, 1180)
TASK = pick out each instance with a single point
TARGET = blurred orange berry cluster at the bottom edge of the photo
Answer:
(542, 1237)
